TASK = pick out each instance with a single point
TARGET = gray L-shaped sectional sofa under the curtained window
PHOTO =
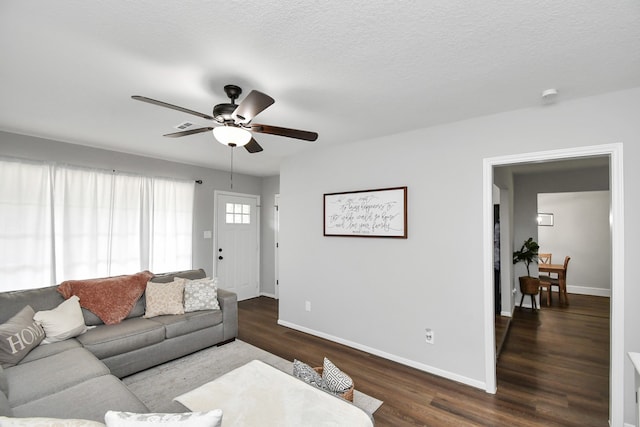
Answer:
(79, 377)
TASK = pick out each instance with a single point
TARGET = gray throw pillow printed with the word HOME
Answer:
(18, 336)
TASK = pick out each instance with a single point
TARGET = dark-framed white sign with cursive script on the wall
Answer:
(369, 213)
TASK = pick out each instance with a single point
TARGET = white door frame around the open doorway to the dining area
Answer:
(617, 360)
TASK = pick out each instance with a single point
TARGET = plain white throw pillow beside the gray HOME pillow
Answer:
(64, 321)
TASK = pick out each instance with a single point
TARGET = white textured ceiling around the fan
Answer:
(347, 70)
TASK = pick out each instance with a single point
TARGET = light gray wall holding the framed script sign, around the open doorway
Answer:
(380, 294)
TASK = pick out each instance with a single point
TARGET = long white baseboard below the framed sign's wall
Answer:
(421, 366)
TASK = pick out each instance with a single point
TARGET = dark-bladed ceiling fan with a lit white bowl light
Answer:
(233, 120)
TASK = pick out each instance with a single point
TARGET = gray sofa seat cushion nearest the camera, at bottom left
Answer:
(89, 400)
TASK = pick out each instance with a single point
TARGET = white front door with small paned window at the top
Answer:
(236, 250)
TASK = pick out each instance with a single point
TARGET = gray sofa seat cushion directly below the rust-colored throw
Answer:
(108, 340)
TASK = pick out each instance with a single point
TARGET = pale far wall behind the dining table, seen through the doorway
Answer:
(581, 231)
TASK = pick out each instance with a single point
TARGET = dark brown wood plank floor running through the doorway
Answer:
(552, 371)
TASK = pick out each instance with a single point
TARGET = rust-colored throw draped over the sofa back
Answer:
(109, 298)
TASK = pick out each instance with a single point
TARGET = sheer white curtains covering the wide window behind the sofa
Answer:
(103, 224)
